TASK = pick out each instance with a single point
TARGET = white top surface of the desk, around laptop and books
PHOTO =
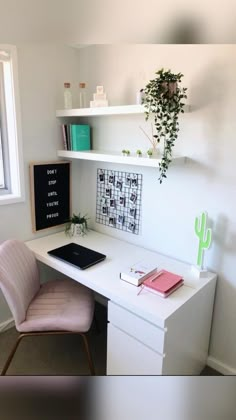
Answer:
(104, 277)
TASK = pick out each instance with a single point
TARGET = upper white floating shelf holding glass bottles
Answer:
(108, 110)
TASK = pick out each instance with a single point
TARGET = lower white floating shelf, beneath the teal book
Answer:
(115, 157)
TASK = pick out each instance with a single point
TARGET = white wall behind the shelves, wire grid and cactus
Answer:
(206, 182)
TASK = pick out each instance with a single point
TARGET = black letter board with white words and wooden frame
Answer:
(50, 194)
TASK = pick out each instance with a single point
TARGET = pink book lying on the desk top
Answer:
(163, 282)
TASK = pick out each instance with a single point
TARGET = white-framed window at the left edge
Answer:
(11, 162)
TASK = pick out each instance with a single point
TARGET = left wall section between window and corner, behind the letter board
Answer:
(42, 71)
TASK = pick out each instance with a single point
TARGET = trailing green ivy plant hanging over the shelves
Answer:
(163, 97)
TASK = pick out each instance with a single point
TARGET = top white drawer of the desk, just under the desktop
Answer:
(136, 327)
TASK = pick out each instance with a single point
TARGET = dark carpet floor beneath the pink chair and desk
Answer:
(60, 355)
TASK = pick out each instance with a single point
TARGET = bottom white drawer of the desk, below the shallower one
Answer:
(127, 356)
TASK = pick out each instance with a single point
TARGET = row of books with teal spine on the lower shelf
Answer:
(76, 137)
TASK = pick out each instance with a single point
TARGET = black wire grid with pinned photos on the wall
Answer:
(119, 199)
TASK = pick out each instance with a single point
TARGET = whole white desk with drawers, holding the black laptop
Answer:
(146, 334)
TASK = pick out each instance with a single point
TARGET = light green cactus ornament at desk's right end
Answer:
(203, 235)
